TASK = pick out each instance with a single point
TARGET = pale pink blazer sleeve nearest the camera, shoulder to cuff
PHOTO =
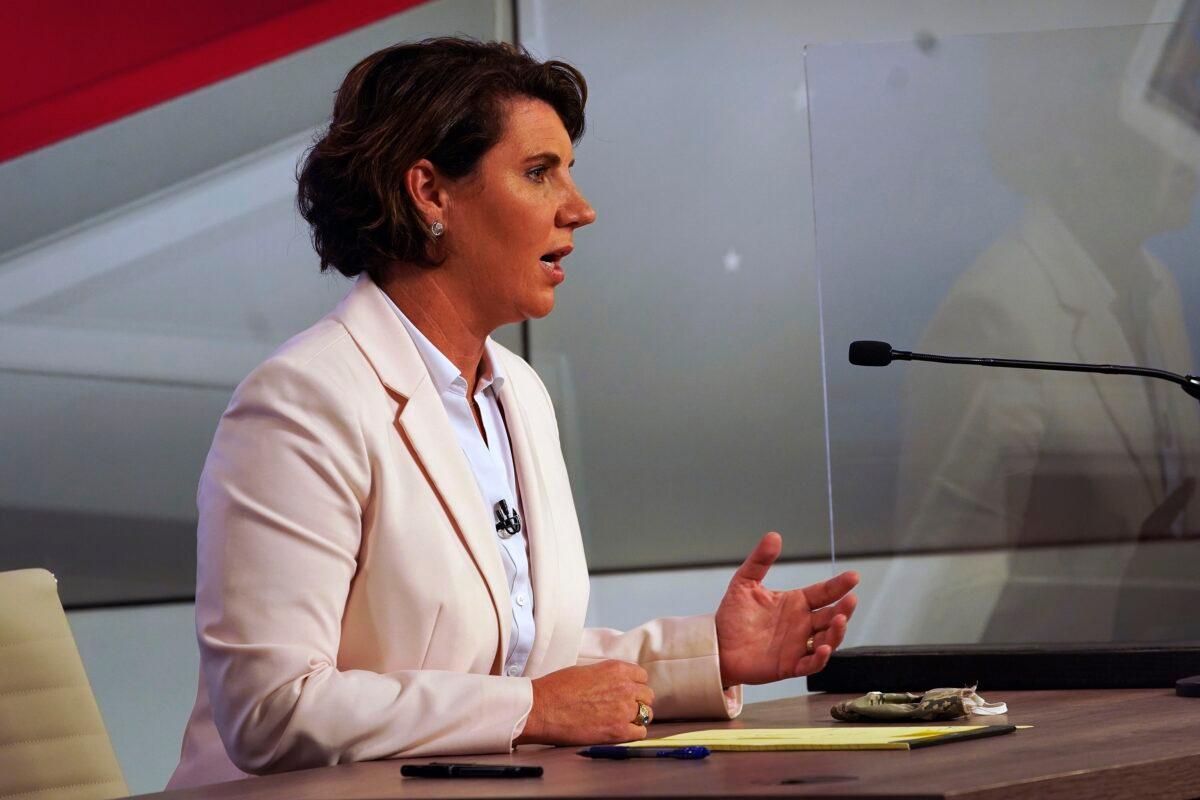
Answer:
(281, 503)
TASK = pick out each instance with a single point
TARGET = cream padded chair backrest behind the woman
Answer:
(53, 743)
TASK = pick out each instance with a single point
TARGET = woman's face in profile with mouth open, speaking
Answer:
(511, 224)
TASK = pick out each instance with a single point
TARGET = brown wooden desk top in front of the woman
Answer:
(1137, 743)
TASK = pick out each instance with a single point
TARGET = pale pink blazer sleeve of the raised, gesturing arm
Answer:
(681, 657)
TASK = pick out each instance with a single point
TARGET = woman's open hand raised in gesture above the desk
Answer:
(764, 635)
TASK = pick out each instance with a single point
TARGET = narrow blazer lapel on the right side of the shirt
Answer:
(538, 512)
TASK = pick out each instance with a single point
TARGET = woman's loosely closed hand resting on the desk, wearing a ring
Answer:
(587, 706)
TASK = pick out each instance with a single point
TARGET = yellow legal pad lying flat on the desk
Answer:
(830, 738)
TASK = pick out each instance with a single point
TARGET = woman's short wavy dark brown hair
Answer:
(442, 100)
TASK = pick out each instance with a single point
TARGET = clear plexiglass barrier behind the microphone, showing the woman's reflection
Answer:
(1027, 196)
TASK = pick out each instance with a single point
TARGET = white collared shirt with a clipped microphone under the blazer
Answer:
(491, 461)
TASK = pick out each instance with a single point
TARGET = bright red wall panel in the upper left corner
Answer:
(73, 65)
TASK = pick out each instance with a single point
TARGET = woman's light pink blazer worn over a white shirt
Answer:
(351, 599)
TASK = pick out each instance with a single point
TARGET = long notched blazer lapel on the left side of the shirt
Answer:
(425, 428)
